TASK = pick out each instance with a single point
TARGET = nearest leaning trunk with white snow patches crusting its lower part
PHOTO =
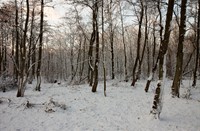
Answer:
(157, 102)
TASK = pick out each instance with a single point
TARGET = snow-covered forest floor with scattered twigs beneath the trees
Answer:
(76, 108)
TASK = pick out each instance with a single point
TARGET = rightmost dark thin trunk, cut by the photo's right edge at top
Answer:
(197, 47)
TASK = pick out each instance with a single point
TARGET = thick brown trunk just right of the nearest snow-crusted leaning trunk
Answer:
(179, 57)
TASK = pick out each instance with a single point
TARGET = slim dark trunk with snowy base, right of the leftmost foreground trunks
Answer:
(38, 87)
